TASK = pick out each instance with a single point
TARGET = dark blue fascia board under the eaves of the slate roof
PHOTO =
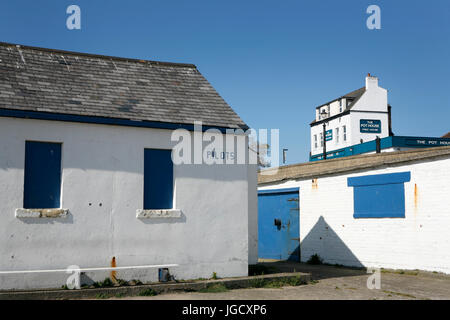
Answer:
(102, 120)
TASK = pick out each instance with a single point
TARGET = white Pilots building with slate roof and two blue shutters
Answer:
(84, 133)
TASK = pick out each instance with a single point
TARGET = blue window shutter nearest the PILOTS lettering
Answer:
(158, 179)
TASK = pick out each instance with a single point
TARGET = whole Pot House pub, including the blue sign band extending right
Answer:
(352, 123)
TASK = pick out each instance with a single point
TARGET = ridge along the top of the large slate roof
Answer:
(100, 56)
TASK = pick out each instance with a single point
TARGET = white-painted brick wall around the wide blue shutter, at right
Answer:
(419, 241)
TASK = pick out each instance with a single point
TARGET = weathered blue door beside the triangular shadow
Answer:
(278, 224)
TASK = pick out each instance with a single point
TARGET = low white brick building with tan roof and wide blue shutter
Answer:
(387, 210)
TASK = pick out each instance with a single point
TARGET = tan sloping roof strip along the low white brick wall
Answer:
(315, 169)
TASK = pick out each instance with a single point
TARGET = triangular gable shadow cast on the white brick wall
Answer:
(325, 242)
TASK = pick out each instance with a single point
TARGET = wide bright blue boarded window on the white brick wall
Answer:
(380, 195)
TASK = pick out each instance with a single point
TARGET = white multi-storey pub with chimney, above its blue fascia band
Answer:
(357, 117)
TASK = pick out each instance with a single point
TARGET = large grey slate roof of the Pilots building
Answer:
(63, 82)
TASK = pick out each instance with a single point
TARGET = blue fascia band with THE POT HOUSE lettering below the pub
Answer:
(387, 142)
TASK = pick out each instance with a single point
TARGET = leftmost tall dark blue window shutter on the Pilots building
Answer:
(42, 188)
